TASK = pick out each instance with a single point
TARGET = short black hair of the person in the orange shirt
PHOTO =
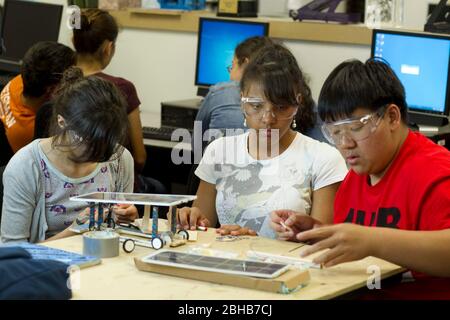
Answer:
(43, 66)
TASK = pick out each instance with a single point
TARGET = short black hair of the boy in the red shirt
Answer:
(354, 84)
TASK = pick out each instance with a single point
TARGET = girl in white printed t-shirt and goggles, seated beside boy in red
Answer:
(245, 177)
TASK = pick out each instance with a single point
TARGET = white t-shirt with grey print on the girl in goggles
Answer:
(248, 189)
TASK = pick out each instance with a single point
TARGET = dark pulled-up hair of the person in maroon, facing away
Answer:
(96, 26)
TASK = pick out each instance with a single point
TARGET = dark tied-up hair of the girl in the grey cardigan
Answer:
(94, 114)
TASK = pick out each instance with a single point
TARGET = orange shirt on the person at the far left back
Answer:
(17, 119)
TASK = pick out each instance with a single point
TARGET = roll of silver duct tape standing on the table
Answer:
(101, 244)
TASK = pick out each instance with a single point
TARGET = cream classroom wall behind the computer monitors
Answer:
(161, 64)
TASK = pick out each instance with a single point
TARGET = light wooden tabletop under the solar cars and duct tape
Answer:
(118, 278)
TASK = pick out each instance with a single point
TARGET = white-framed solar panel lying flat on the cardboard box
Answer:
(216, 264)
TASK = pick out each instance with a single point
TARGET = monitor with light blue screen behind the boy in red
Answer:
(422, 63)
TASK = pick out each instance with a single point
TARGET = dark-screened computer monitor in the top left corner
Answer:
(23, 24)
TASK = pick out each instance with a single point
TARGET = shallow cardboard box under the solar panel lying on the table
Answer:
(285, 283)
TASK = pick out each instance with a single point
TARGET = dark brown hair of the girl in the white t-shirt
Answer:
(276, 70)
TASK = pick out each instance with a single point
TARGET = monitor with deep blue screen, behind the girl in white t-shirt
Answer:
(217, 39)
